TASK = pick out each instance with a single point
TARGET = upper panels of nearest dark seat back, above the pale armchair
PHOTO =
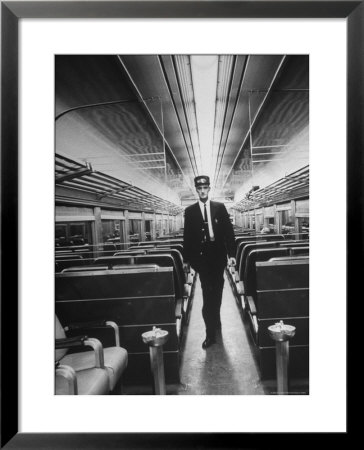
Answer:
(128, 297)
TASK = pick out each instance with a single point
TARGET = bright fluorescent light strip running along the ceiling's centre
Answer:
(204, 70)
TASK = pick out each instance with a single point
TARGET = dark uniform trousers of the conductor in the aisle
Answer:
(211, 271)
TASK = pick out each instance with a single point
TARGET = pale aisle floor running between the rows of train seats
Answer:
(227, 367)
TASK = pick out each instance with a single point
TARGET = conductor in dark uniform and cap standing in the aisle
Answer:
(207, 242)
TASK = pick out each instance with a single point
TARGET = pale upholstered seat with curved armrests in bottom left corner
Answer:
(113, 360)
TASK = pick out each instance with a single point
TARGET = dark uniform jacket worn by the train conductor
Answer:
(193, 236)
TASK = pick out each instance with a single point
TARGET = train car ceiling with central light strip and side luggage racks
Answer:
(128, 126)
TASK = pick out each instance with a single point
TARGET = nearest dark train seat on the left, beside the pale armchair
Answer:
(136, 299)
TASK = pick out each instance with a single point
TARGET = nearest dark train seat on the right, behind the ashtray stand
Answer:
(282, 293)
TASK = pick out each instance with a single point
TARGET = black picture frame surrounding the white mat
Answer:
(11, 12)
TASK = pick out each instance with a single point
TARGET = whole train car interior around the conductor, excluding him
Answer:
(131, 134)
